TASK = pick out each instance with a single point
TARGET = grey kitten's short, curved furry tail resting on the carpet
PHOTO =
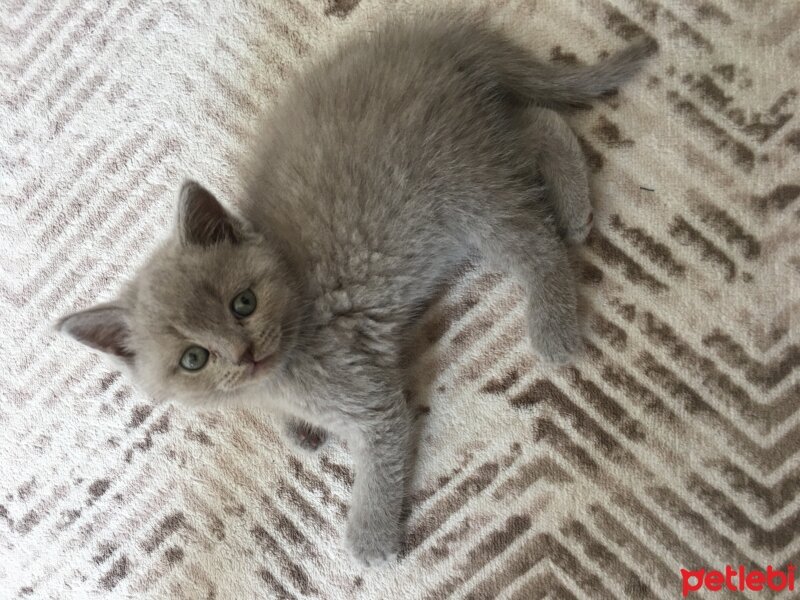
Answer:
(558, 85)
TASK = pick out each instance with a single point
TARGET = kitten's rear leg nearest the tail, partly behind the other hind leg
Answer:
(563, 168)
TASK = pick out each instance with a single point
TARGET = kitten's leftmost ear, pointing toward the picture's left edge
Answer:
(105, 327)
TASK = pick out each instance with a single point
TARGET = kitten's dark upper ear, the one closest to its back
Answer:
(202, 220)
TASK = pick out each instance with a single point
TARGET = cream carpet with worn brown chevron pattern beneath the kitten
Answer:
(673, 444)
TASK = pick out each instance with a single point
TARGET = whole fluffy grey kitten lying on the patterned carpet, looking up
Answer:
(383, 168)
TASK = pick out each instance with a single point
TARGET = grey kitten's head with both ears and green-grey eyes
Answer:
(213, 313)
